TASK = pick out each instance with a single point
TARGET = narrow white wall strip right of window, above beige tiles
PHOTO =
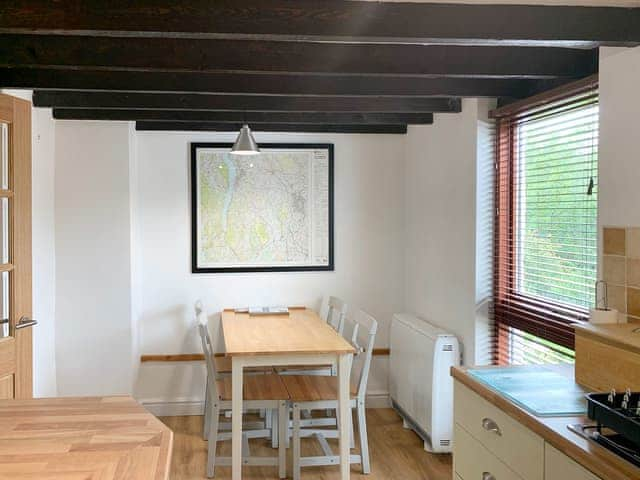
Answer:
(619, 157)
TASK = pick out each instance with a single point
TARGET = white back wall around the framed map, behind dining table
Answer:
(368, 243)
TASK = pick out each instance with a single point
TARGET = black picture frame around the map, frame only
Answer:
(263, 146)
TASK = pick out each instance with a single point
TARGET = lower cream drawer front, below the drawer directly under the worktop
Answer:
(472, 461)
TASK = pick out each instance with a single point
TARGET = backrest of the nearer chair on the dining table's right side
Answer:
(361, 333)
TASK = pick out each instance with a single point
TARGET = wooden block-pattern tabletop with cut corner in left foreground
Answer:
(82, 439)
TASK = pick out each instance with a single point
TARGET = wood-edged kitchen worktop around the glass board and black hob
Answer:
(553, 430)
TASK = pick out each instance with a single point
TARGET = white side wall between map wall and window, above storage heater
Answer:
(440, 222)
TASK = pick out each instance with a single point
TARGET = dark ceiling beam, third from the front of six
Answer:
(268, 83)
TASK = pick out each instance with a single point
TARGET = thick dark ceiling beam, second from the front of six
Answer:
(161, 54)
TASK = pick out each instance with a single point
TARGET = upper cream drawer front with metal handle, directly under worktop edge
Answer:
(507, 439)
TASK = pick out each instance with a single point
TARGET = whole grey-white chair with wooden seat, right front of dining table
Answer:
(319, 393)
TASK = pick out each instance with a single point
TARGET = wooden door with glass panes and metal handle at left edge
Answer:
(16, 351)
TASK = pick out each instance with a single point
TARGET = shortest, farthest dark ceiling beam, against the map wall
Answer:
(269, 127)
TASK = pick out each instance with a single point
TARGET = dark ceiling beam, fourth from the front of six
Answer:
(254, 103)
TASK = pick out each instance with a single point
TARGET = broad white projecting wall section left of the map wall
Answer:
(93, 267)
